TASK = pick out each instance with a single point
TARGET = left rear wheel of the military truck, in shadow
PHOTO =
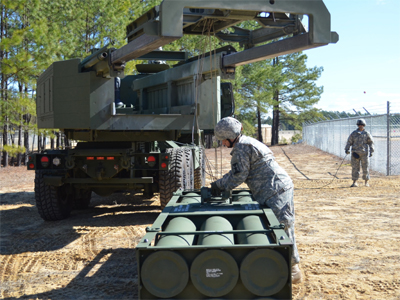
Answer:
(53, 203)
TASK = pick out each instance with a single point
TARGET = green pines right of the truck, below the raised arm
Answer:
(284, 84)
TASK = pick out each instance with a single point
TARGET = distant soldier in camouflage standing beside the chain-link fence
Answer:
(360, 140)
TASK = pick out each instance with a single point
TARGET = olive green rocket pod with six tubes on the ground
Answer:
(215, 248)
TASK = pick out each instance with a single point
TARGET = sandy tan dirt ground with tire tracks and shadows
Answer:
(348, 238)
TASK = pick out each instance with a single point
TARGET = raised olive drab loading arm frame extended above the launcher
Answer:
(281, 18)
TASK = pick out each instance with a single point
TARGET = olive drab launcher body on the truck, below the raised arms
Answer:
(165, 101)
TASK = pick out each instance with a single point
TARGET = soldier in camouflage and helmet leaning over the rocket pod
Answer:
(253, 163)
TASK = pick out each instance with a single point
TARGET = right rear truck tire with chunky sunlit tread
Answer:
(178, 176)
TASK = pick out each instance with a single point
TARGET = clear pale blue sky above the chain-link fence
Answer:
(363, 68)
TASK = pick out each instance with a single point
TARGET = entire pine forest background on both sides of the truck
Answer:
(281, 92)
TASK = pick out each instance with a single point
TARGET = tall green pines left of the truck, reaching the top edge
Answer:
(34, 34)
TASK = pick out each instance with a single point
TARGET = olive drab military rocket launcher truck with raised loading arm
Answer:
(145, 132)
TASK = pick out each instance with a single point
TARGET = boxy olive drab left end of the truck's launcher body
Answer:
(79, 100)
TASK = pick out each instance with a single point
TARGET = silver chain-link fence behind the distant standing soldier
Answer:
(331, 136)
